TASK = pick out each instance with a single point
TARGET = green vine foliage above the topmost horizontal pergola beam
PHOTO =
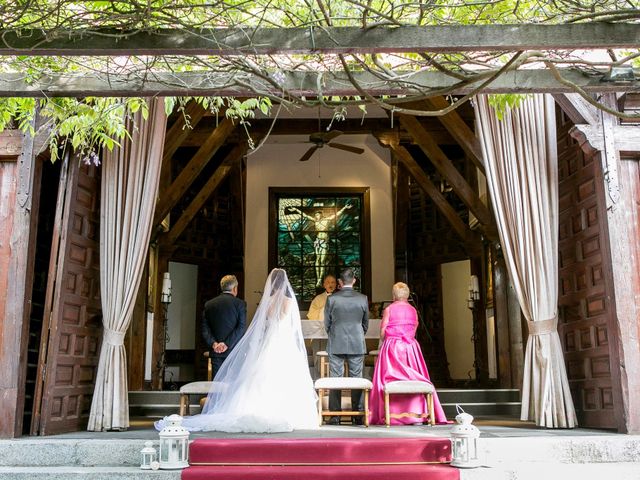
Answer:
(149, 14)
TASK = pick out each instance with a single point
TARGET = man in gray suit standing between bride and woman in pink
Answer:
(346, 319)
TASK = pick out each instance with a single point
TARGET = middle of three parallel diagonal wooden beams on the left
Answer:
(192, 170)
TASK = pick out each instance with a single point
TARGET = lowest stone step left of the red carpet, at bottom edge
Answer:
(86, 473)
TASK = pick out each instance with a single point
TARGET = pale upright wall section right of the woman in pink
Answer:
(458, 320)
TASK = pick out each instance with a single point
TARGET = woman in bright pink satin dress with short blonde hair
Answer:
(400, 358)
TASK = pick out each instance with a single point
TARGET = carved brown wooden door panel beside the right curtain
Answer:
(586, 312)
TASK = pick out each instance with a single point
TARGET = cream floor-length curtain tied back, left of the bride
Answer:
(130, 176)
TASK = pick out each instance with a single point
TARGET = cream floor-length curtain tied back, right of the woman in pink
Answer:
(522, 173)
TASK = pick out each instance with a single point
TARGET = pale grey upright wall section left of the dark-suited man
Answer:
(181, 316)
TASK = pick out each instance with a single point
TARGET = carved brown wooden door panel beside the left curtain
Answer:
(72, 327)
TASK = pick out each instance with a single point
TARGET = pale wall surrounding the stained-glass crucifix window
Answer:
(276, 165)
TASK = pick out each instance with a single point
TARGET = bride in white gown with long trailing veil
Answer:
(264, 385)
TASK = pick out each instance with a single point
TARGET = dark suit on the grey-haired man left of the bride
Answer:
(223, 320)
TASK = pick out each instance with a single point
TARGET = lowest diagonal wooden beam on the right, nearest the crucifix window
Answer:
(441, 203)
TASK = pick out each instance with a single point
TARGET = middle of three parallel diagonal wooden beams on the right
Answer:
(442, 163)
